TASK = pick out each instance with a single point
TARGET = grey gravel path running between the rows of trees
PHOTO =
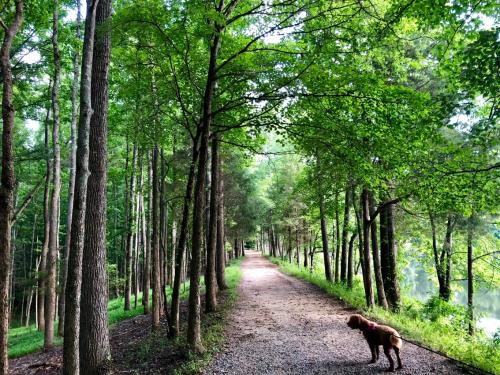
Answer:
(282, 325)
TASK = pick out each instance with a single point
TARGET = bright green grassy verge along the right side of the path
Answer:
(441, 335)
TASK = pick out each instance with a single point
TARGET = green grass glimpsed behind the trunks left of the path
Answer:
(26, 340)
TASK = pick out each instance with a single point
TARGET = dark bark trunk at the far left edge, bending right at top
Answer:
(7, 179)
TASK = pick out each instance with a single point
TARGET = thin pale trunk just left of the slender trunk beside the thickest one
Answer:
(72, 169)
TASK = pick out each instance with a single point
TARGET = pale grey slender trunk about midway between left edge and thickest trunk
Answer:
(50, 300)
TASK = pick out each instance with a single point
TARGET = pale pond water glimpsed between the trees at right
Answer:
(420, 284)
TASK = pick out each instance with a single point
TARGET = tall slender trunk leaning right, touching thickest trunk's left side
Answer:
(71, 359)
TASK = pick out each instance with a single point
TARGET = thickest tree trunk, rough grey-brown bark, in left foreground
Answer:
(95, 353)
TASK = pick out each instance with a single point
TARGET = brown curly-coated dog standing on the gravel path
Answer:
(377, 335)
